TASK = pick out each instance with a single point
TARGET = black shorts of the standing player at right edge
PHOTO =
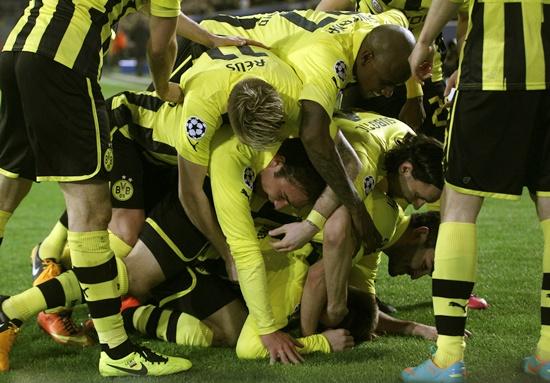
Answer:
(499, 142)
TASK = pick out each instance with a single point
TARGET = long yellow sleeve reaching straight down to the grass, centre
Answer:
(232, 181)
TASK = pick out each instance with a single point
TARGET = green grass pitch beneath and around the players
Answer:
(510, 253)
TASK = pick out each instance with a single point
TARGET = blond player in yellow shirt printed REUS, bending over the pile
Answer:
(239, 91)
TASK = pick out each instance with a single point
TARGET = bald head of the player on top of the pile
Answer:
(382, 62)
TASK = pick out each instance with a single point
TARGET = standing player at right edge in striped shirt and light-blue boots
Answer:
(507, 98)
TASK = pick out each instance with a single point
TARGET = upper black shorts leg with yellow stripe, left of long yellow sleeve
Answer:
(169, 234)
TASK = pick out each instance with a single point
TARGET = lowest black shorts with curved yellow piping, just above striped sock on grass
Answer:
(196, 293)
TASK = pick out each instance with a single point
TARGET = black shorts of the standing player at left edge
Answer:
(53, 121)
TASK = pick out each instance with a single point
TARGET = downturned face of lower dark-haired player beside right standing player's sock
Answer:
(416, 261)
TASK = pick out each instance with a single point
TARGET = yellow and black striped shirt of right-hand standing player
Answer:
(507, 46)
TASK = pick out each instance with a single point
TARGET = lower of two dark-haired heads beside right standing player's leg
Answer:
(413, 253)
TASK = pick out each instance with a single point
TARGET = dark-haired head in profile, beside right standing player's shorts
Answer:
(415, 170)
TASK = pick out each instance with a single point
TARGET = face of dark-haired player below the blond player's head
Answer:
(280, 191)
